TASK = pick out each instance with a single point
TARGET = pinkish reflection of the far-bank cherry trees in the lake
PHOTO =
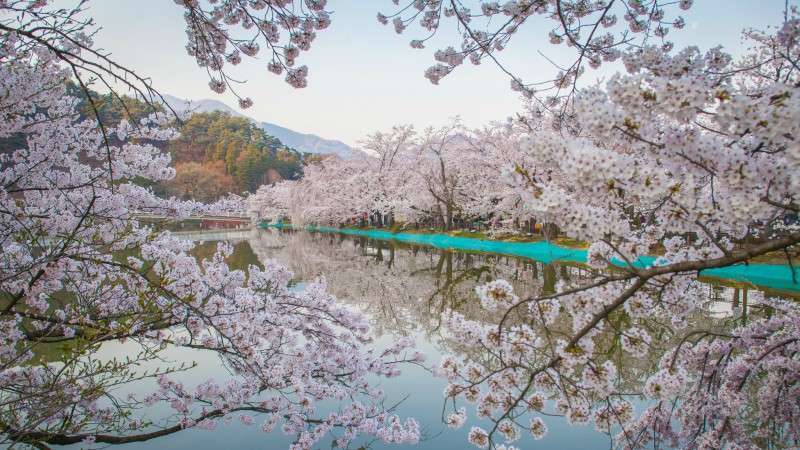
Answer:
(404, 288)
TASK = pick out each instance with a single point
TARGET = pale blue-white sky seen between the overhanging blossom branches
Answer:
(364, 78)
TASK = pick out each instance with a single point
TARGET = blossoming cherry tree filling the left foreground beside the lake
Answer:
(79, 272)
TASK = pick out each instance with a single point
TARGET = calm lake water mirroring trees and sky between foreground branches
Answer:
(404, 291)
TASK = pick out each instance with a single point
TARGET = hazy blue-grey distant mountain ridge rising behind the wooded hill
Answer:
(308, 143)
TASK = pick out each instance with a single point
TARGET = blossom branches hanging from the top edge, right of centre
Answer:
(487, 27)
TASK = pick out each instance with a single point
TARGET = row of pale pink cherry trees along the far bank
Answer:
(439, 175)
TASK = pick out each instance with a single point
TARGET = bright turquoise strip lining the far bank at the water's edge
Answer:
(772, 276)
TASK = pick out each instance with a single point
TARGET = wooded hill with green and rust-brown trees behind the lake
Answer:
(216, 153)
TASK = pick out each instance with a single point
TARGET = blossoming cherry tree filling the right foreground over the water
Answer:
(689, 151)
